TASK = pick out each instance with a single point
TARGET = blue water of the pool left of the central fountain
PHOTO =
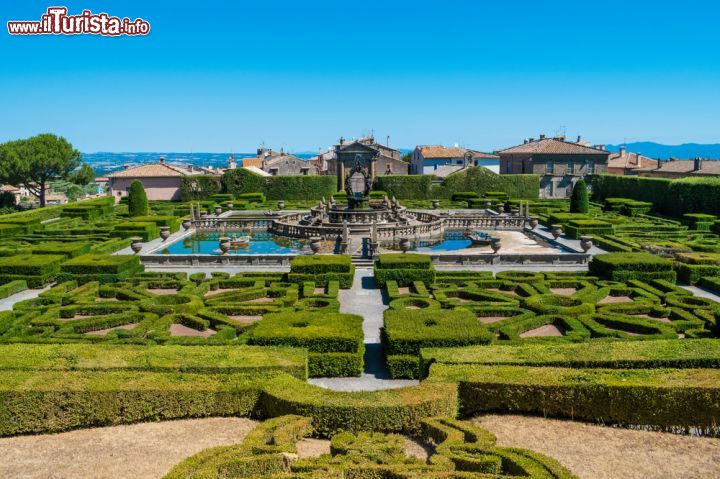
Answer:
(261, 243)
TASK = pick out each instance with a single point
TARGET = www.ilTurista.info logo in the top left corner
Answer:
(57, 22)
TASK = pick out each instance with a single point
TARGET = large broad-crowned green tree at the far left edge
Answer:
(35, 161)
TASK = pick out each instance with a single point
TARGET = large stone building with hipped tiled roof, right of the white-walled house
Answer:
(559, 163)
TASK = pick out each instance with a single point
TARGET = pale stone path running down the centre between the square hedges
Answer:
(367, 301)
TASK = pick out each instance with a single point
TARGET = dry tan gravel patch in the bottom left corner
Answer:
(136, 451)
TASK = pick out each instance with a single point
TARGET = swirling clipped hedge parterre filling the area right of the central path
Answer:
(464, 308)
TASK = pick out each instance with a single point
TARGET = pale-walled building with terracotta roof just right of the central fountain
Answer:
(427, 159)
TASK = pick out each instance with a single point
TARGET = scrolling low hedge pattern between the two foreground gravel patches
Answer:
(462, 450)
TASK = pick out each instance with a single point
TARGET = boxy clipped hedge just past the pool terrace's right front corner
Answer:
(627, 266)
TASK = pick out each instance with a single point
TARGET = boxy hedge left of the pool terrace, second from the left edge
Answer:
(103, 268)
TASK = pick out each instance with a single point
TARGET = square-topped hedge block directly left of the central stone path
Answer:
(334, 341)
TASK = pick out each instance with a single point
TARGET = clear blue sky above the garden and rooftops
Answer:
(228, 76)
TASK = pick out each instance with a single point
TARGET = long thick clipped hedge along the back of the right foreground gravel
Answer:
(663, 398)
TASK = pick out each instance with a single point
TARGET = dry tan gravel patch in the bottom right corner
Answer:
(597, 452)
